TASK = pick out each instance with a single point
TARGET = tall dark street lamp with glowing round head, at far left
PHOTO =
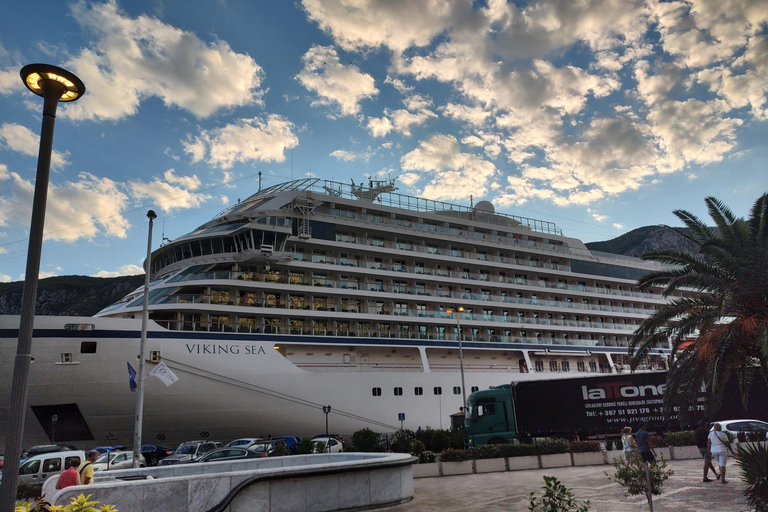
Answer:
(54, 85)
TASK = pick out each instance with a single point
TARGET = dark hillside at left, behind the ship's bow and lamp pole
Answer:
(69, 295)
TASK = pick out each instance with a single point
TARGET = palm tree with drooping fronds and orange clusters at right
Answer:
(721, 303)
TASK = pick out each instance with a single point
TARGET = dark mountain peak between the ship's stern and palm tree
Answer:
(645, 239)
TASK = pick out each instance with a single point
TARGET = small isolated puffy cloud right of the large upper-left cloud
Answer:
(335, 83)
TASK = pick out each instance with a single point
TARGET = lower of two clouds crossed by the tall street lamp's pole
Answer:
(78, 209)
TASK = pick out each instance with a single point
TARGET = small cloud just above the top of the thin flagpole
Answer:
(171, 193)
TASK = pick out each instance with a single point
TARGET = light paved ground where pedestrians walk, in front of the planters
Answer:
(509, 491)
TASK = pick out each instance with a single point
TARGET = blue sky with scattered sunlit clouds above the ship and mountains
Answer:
(601, 116)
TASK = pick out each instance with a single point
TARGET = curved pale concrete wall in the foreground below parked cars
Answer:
(298, 483)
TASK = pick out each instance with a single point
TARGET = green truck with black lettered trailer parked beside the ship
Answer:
(591, 407)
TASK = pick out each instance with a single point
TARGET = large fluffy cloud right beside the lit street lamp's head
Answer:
(134, 59)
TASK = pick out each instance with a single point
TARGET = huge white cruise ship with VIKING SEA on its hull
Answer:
(315, 293)
